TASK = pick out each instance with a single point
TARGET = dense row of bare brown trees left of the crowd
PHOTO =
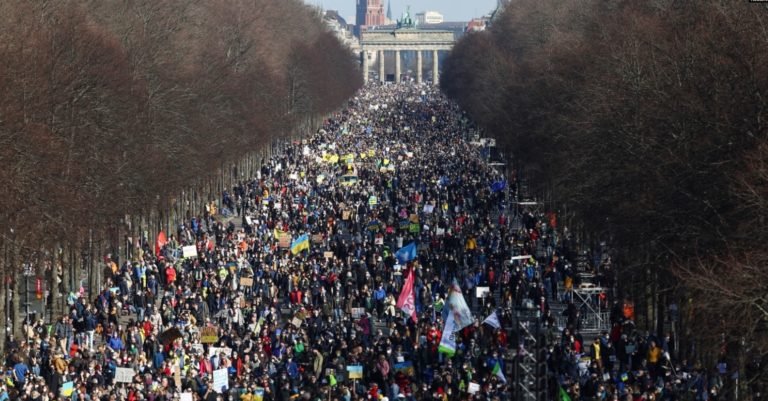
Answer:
(119, 117)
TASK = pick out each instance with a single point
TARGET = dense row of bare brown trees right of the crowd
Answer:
(649, 120)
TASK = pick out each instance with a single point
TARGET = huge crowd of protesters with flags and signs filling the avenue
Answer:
(301, 295)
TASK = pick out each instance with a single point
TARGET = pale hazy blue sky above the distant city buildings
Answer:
(453, 10)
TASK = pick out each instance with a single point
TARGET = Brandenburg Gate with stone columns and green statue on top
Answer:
(406, 37)
